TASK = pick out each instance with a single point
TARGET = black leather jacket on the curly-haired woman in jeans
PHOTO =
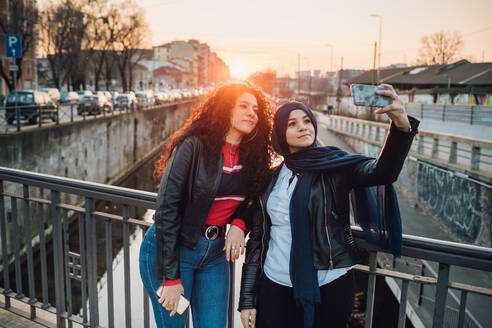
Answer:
(186, 193)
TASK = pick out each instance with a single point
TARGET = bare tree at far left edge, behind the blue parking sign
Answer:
(20, 19)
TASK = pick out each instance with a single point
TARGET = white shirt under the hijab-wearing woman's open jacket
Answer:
(278, 255)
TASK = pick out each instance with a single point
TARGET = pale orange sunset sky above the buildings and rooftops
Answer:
(263, 34)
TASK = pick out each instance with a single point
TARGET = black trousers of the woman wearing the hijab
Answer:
(276, 306)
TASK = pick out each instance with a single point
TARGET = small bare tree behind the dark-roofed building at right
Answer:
(440, 48)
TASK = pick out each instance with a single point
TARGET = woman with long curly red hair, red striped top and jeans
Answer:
(220, 157)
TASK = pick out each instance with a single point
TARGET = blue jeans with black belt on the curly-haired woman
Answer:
(204, 275)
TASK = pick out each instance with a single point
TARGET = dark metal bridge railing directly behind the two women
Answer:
(51, 205)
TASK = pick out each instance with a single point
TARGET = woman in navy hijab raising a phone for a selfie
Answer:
(301, 251)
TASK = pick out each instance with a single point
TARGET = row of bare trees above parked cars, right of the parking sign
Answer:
(100, 35)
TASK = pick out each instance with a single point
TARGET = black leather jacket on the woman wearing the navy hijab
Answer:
(329, 213)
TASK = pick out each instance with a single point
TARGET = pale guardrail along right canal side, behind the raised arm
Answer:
(472, 157)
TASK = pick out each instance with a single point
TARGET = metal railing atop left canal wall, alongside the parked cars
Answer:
(18, 118)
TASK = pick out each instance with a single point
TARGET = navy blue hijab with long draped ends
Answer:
(375, 209)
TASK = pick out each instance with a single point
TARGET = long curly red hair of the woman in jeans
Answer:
(210, 121)
